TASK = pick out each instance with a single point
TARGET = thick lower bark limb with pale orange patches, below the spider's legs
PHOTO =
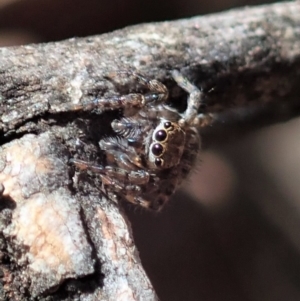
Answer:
(52, 238)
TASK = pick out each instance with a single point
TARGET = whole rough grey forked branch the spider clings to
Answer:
(60, 237)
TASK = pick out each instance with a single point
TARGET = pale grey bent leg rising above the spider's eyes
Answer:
(194, 100)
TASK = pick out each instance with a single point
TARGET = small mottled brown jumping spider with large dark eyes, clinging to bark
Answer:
(155, 146)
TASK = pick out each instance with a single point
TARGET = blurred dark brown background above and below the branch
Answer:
(231, 233)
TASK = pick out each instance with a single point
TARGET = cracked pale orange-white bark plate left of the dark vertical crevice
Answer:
(45, 228)
